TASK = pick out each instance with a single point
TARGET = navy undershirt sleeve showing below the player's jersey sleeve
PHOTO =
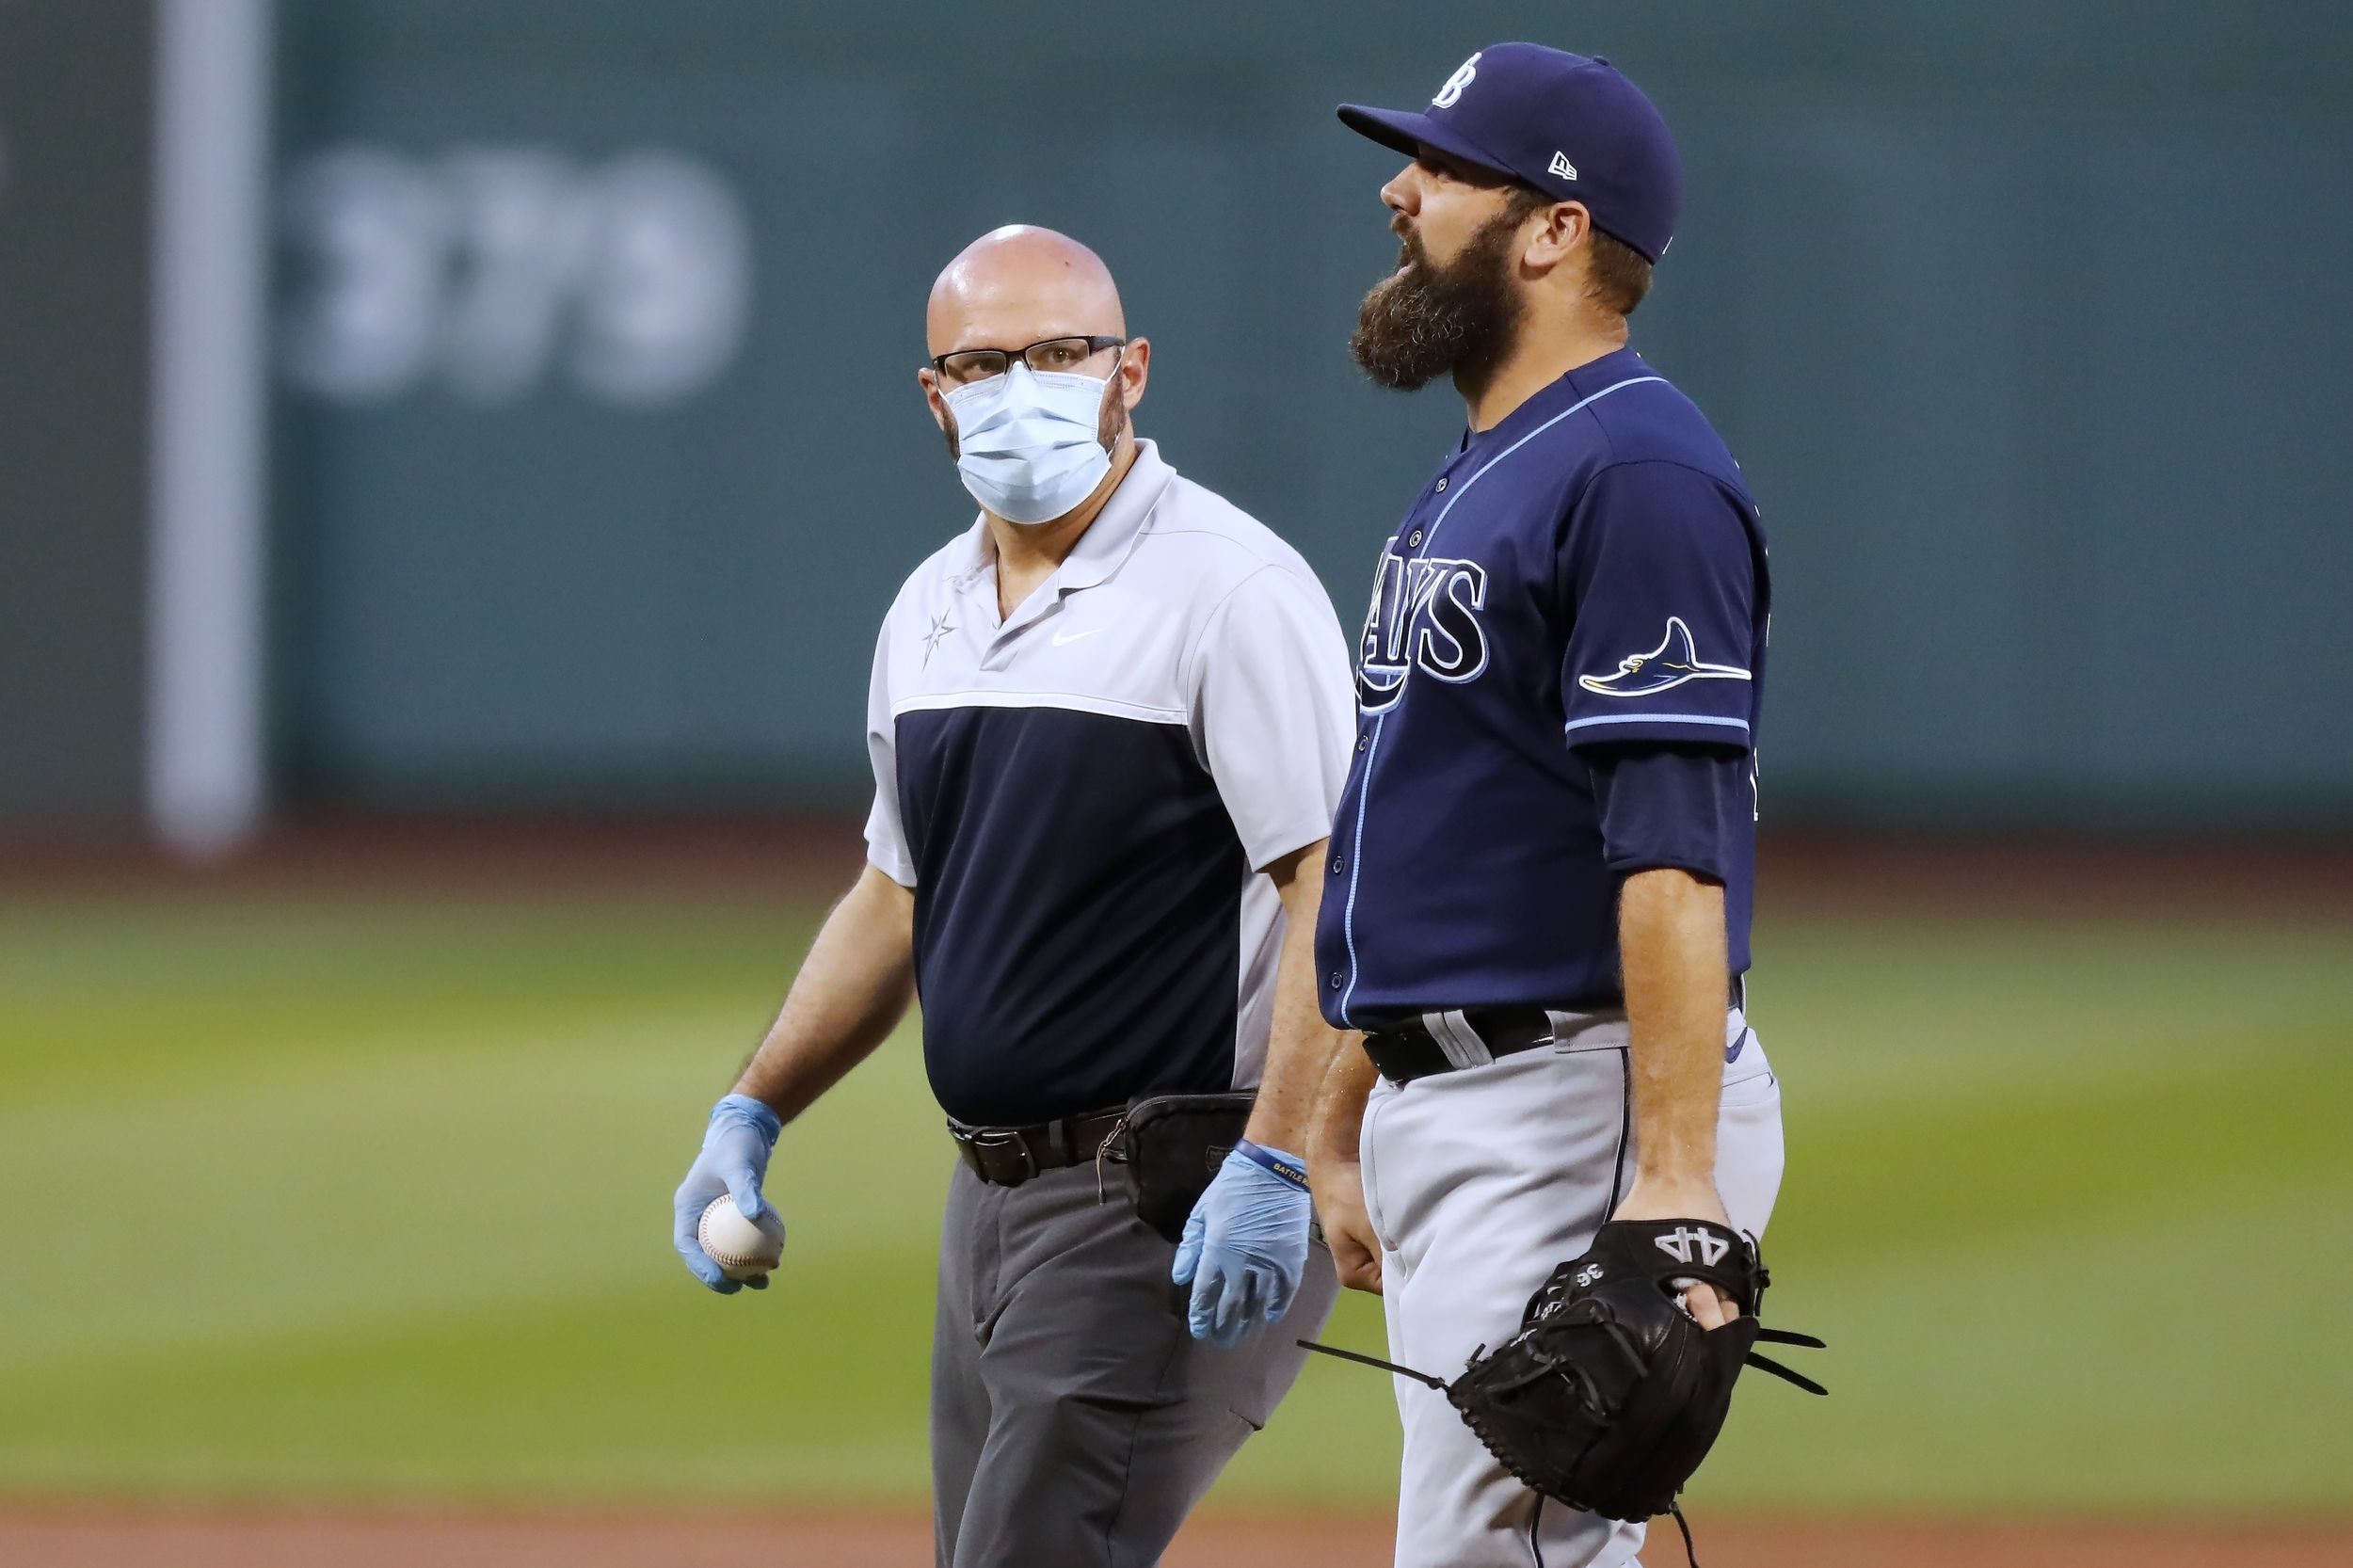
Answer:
(1672, 806)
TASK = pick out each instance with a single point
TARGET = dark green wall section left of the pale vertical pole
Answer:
(74, 376)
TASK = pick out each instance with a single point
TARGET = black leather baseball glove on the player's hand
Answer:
(1611, 1395)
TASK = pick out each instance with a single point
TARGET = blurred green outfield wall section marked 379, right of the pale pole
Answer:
(599, 456)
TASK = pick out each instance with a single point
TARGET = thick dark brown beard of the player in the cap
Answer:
(1427, 321)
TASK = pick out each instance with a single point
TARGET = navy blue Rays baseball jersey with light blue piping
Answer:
(1578, 585)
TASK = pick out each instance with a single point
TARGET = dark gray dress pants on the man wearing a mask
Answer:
(1074, 1418)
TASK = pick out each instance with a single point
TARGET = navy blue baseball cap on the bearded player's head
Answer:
(1566, 124)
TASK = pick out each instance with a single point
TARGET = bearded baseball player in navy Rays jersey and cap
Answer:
(1540, 879)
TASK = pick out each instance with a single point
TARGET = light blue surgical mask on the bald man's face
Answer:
(1029, 446)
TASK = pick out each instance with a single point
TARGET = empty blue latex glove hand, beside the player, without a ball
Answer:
(1246, 1244)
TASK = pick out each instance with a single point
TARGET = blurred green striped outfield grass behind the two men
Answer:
(368, 1197)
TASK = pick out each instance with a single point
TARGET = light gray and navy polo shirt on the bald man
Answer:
(1086, 795)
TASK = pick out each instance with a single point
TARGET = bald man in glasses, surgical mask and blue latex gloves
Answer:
(1109, 724)
